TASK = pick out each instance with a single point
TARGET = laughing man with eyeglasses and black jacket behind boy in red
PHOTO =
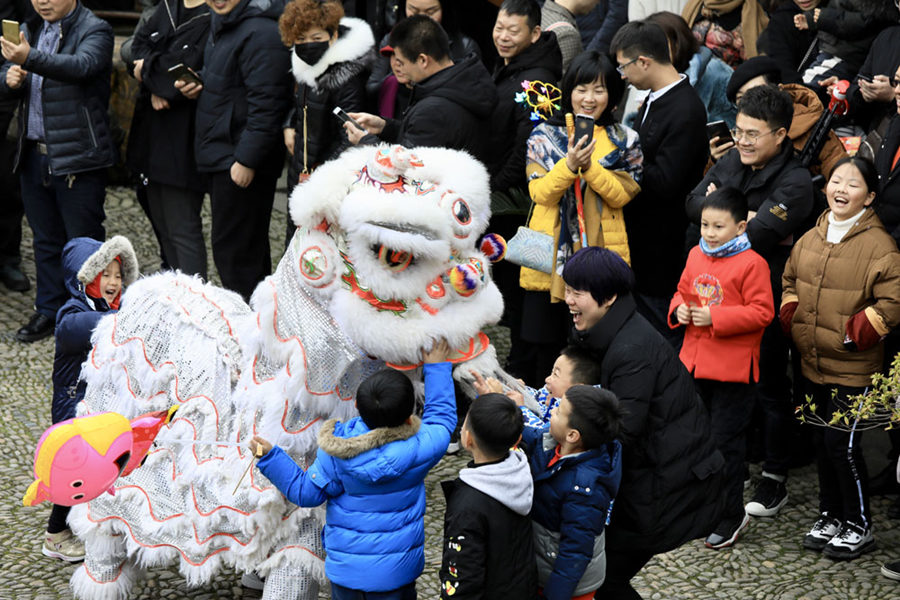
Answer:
(779, 194)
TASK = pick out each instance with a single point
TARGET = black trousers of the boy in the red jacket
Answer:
(730, 408)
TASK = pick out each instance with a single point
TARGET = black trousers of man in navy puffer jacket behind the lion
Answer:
(240, 230)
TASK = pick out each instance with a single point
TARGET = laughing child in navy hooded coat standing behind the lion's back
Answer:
(95, 274)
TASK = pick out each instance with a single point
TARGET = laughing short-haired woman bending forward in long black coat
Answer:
(672, 471)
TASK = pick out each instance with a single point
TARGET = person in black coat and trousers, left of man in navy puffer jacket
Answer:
(161, 143)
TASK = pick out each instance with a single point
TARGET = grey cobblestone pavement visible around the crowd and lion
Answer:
(768, 562)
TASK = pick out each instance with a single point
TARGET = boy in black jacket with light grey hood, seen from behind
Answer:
(488, 545)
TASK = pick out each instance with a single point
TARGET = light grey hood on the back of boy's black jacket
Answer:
(508, 482)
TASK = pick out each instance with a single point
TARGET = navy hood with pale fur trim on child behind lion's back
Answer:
(84, 258)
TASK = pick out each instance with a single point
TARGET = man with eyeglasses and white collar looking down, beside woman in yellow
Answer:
(672, 127)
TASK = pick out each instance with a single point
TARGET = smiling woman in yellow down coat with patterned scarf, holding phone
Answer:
(610, 166)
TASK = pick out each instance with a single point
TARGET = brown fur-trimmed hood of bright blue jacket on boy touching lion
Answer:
(368, 453)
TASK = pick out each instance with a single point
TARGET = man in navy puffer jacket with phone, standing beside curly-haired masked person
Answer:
(241, 107)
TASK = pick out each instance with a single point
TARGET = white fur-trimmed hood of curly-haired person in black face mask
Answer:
(351, 54)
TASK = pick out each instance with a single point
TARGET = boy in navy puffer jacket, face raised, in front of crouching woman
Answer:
(576, 463)
